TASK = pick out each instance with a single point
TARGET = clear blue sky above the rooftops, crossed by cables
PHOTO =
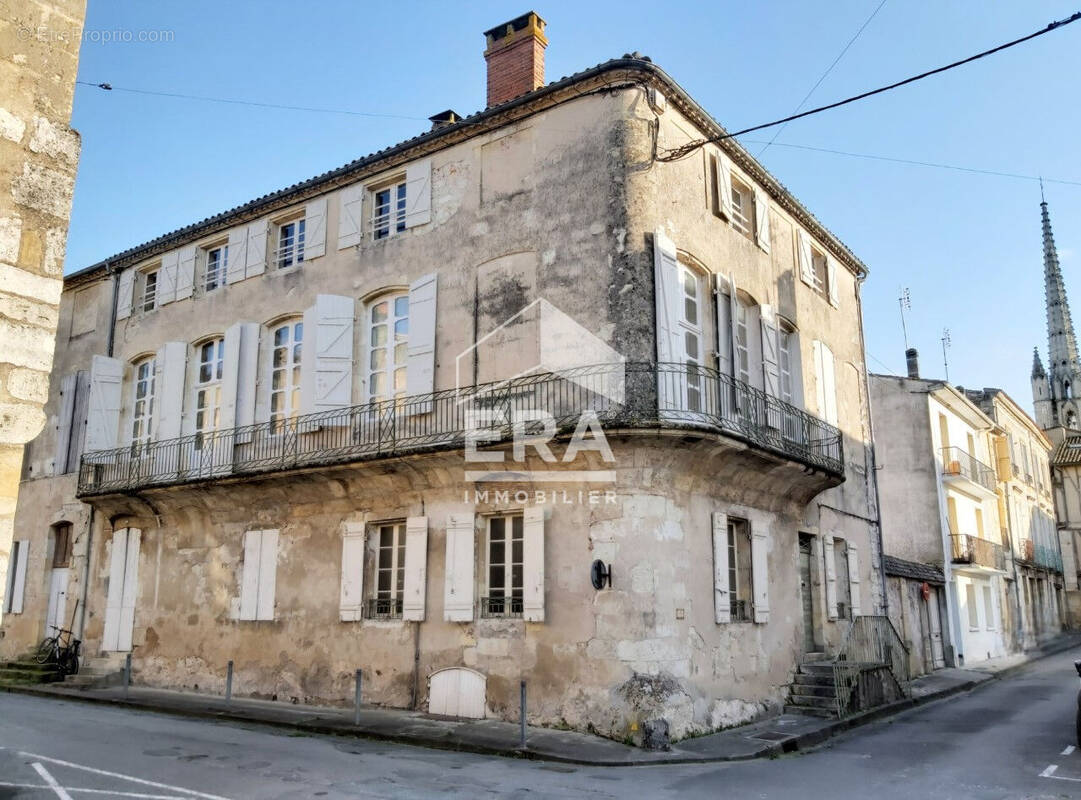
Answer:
(968, 247)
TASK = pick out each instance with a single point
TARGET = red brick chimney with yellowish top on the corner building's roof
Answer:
(515, 58)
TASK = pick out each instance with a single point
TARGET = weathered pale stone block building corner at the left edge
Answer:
(39, 153)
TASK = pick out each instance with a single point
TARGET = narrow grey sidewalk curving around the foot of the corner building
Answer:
(786, 734)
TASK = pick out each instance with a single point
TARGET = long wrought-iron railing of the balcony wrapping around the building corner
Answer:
(634, 395)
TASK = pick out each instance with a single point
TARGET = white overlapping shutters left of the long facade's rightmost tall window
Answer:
(327, 376)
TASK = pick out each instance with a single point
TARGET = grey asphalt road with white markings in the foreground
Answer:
(1006, 740)
